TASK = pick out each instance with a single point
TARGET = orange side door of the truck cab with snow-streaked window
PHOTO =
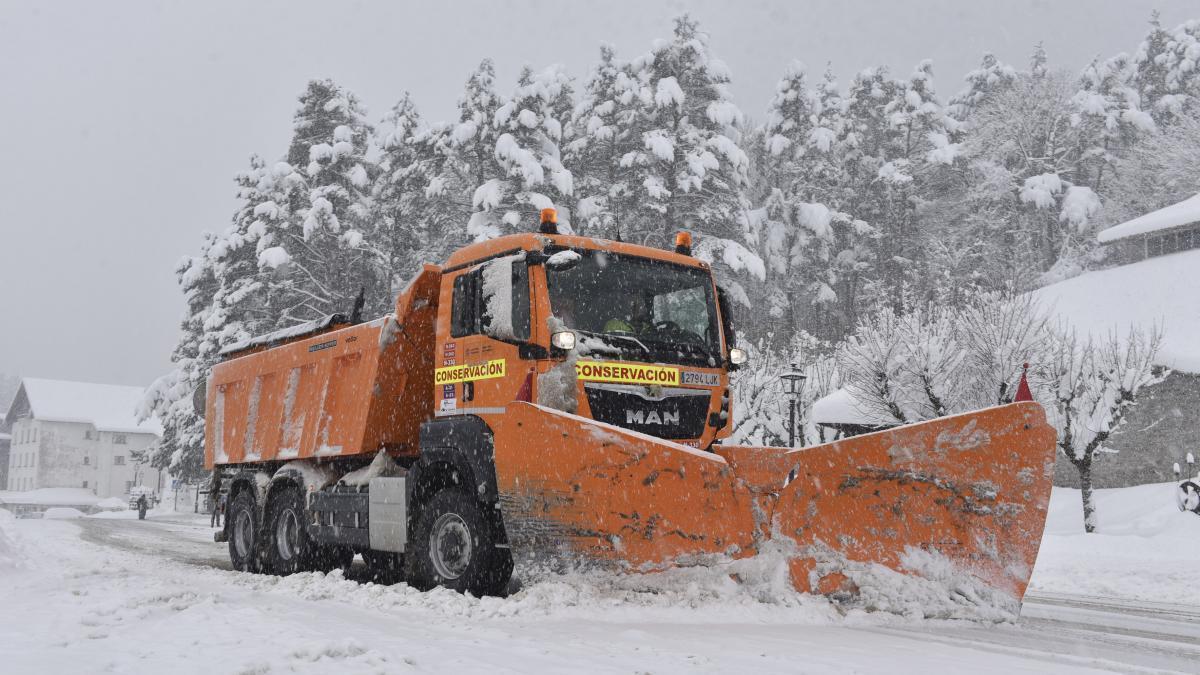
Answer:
(488, 310)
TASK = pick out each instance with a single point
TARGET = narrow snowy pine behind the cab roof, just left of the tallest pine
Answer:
(605, 133)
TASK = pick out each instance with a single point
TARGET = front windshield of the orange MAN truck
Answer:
(638, 309)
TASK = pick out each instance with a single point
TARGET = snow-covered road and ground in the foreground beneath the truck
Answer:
(157, 596)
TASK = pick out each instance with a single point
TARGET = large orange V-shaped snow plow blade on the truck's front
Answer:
(957, 504)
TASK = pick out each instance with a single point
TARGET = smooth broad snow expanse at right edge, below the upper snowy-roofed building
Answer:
(1163, 291)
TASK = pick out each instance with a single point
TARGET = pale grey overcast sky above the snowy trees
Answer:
(123, 124)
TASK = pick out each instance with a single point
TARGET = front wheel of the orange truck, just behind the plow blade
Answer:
(454, 546)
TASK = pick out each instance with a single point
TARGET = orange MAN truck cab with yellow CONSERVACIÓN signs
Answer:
(628, 336)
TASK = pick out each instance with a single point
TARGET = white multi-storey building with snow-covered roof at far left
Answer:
(80, 435)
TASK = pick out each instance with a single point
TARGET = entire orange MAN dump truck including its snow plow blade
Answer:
(547, 402)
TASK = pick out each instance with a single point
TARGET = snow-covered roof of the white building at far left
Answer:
(109, 408)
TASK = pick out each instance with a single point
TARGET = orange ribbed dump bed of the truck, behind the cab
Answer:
(340, 392)
